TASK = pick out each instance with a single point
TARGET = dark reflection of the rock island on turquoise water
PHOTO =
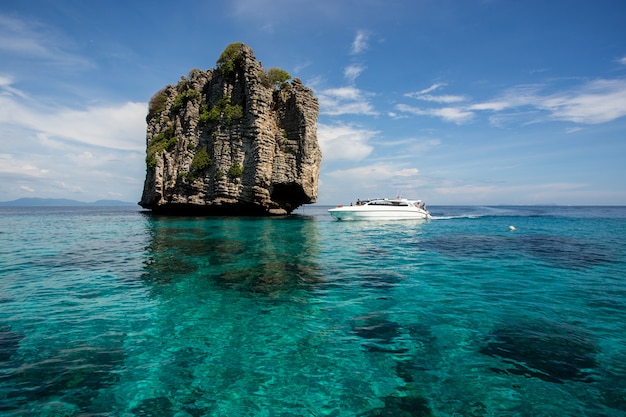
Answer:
(256, 256)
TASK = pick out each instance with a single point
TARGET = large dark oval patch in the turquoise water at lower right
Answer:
(552, 352)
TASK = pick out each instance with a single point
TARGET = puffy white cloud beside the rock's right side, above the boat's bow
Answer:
(344, 142)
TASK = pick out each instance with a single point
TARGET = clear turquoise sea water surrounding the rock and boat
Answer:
(114, 312)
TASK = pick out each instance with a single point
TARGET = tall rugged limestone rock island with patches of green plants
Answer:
(231, 141)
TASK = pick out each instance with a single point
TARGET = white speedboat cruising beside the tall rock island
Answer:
(382, 209)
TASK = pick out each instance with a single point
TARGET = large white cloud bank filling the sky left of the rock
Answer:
(91, 152)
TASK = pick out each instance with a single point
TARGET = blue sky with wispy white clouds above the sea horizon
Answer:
(454, 102)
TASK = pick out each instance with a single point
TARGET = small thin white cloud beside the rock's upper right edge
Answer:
(345, 100)
